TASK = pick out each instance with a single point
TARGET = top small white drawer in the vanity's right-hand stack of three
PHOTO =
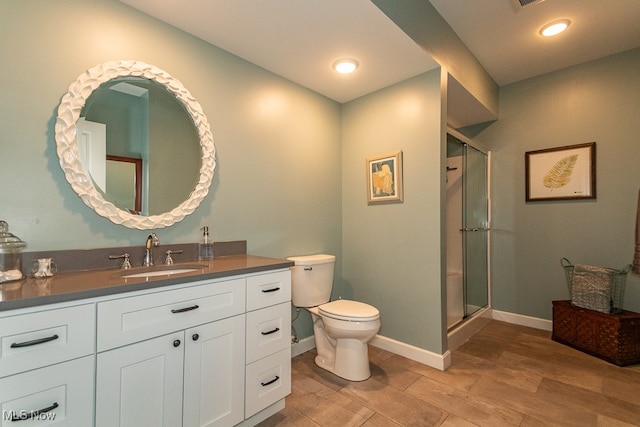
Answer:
(268, 289)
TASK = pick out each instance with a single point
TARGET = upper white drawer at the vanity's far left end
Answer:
(33, 340)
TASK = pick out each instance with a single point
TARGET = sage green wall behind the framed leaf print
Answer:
(597, 101)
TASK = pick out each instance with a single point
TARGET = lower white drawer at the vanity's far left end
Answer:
(63, 393)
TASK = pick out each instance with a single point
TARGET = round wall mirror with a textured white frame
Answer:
(135, 145)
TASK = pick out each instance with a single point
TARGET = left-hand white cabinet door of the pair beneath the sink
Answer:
(141, 384)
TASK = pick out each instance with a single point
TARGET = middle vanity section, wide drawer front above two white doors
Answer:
(172, 357)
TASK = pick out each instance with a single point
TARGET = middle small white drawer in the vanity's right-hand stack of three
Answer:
(268, 331)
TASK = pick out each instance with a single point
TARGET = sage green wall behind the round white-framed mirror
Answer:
(277, 183)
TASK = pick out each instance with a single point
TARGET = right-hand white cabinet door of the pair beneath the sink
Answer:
(214, 373)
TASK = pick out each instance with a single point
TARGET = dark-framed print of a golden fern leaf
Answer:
(562, 173)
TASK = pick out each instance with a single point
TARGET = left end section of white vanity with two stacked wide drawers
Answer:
(47, 366)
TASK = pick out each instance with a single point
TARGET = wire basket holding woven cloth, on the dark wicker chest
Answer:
(596, 288)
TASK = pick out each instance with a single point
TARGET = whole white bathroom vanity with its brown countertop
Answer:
(209, 347)
